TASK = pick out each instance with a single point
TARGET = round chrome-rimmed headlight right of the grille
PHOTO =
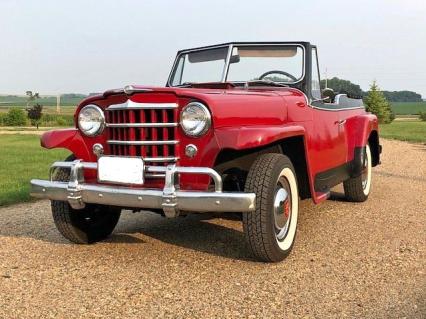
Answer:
(195, 119)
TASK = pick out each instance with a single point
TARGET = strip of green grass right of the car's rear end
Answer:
(411, 131)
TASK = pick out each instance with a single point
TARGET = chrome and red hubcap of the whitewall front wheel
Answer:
(282, 209)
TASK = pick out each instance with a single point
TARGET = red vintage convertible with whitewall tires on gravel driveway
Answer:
(239, 127)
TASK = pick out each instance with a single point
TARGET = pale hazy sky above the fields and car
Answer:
(84, 46)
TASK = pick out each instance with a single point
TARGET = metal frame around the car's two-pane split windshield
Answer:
(228, 57)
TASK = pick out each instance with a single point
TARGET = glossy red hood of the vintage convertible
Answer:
(229, 107)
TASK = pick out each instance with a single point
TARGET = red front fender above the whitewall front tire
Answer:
(240, 138)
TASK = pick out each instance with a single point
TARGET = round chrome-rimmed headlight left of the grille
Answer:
(91, 120)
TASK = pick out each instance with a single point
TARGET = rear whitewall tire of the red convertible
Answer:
(358, 188)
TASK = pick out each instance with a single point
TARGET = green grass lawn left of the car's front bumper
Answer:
(21, 159)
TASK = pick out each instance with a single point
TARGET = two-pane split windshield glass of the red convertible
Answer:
(278, 63)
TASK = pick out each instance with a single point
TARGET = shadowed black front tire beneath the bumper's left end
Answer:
(84, 226)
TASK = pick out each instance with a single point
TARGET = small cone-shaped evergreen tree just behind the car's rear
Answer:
(378, 104)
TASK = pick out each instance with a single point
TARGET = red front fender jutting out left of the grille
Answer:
(69, 139)
